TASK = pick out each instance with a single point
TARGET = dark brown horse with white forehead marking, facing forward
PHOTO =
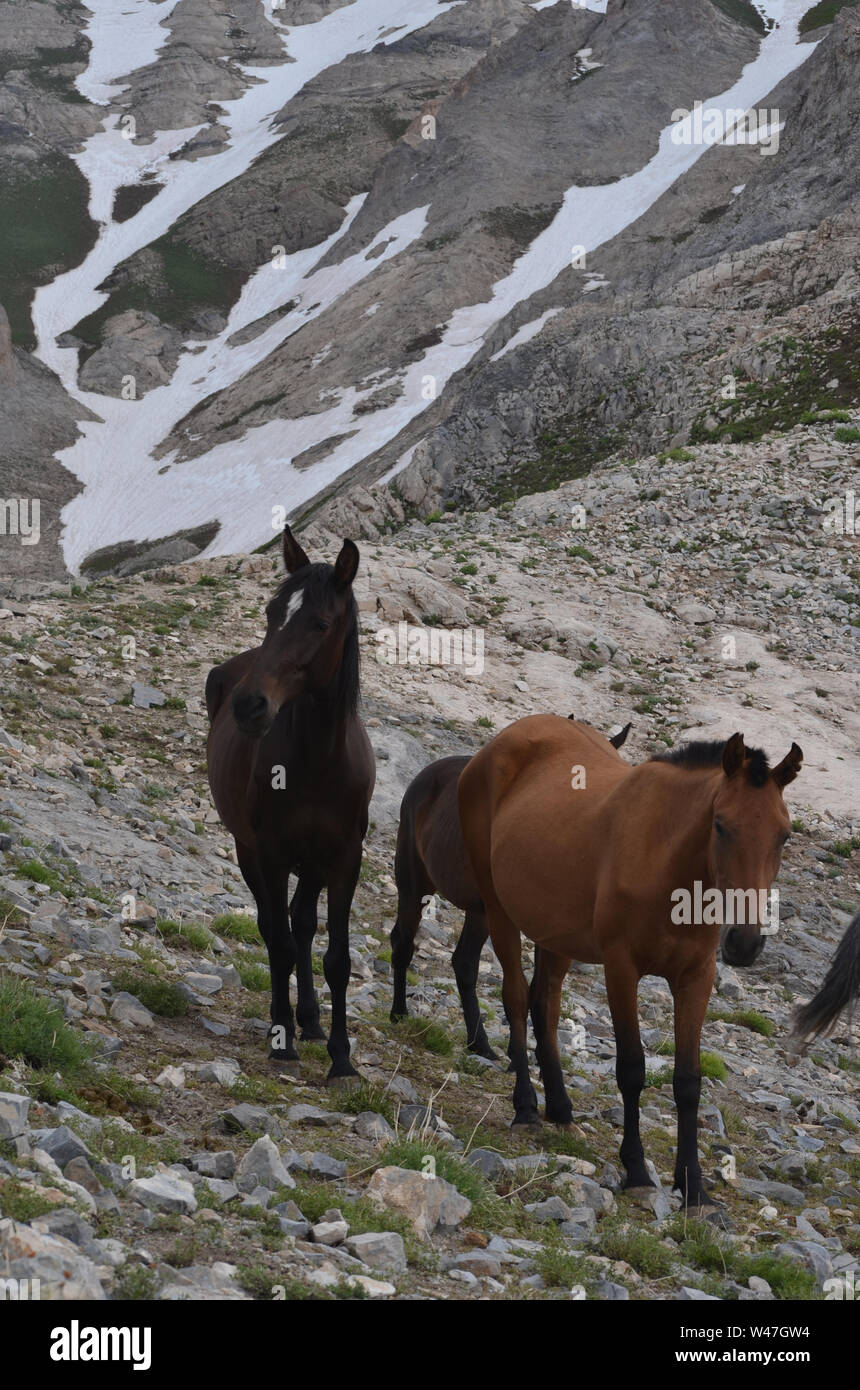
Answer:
(292, 774)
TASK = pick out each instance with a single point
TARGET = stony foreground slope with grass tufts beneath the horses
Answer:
(697, 591)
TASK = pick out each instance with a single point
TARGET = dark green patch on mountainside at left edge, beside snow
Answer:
(45, 224)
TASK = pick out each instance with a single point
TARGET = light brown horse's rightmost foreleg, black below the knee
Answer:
(691, 993)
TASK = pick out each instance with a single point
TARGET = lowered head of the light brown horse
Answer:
(750, 829)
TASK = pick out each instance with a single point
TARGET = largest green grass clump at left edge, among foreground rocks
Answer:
(34, 1031)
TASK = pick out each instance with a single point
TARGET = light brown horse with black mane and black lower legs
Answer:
(590, 858)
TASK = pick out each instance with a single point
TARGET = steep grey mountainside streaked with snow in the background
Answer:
(301, 248)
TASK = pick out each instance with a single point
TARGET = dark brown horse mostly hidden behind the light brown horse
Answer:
(433, 858)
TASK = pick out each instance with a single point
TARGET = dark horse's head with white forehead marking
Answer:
(309, 623)
